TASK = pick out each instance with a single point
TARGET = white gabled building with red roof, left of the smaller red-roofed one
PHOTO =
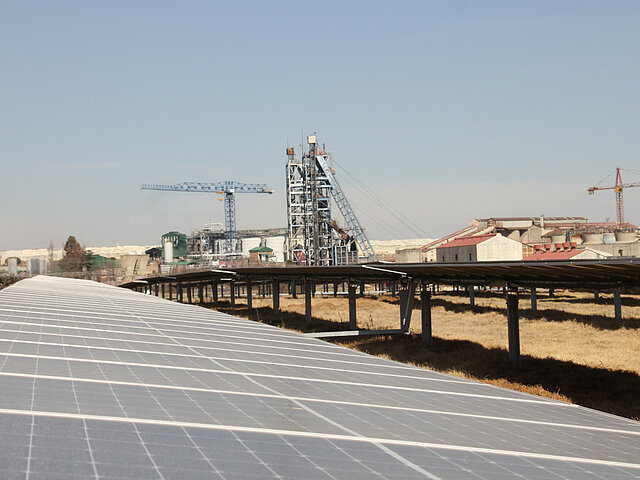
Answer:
(480, 248)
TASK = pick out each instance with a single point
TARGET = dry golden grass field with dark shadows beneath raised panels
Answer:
(572, 348)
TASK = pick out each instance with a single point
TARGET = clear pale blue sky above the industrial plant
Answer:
(448, 110)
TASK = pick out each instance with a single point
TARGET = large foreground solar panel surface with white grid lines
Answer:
(101, 382)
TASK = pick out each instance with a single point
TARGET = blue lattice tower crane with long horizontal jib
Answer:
(229, 188)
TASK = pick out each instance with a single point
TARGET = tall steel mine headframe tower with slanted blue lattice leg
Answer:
(313, 236)
